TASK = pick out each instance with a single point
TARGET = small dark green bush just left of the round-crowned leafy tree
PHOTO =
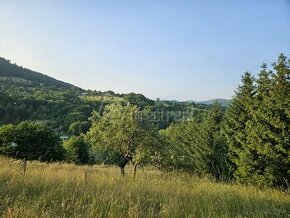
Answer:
(77, 150)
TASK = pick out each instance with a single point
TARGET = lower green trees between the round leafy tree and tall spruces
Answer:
(199, 147)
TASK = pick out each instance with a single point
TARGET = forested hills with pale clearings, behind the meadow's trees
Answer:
(29, 95)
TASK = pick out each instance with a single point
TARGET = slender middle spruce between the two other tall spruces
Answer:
(257, 130)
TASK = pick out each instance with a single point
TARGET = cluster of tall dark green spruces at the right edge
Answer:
(257, 127)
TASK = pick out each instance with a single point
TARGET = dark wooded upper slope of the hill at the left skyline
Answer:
(14, 71)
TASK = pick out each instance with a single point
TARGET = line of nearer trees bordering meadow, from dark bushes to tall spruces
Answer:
(248, 142)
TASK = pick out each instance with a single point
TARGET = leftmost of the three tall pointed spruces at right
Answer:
(234, 128)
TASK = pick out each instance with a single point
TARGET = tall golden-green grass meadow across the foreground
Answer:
(63, 190)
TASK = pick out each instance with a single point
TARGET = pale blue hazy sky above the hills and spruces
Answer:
(171, 49)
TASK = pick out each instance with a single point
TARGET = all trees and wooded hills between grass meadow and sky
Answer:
(249, 141)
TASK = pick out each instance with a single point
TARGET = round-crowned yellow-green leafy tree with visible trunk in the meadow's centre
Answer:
(122, 135)
